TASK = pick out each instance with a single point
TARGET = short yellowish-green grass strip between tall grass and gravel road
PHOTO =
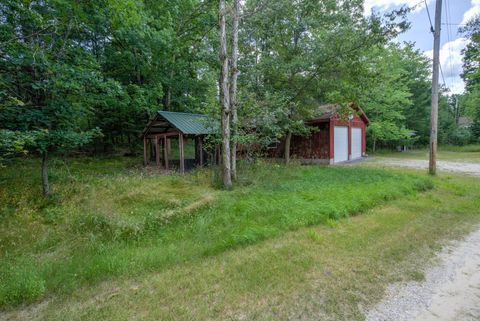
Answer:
(326, 272)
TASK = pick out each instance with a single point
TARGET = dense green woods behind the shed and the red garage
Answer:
(91, 73)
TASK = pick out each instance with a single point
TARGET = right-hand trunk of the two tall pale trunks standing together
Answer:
(233, 88)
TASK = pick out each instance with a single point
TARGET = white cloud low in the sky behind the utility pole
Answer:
(451, 61)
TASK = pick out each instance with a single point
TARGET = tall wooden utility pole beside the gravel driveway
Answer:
(436, 63)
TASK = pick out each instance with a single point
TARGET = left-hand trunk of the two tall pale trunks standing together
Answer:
(224, 99)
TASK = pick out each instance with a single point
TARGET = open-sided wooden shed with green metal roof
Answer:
(176, 140)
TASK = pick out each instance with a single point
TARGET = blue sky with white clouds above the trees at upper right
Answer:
(455, 12)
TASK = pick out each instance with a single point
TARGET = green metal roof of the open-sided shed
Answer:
(189, 124)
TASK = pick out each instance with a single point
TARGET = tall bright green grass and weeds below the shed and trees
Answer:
(110, 219)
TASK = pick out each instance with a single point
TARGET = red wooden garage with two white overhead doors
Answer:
(339, 136)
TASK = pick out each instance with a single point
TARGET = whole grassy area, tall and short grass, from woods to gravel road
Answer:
(117, 241)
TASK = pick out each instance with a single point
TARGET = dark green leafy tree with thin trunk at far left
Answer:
(45, 78)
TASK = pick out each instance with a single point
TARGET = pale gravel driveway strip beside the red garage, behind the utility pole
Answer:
(447, 166)
